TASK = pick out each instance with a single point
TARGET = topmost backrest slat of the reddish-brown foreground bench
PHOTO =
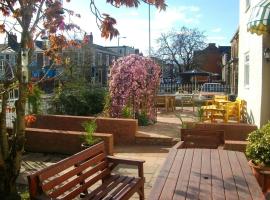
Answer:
(70, 161)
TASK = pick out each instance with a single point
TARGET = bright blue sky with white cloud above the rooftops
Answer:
(217, 18)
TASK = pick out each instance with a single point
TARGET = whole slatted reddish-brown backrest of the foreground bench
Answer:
(69, 177)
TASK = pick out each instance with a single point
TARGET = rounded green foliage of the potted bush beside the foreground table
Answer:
(258, 148)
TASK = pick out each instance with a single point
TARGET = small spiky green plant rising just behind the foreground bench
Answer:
(90, 127)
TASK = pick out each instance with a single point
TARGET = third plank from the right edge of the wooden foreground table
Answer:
(228, 180)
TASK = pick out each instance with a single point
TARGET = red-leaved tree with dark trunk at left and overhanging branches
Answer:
(33, 19)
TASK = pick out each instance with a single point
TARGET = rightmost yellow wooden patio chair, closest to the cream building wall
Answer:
(233, 111)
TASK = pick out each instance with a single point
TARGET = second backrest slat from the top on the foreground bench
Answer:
(60, 179)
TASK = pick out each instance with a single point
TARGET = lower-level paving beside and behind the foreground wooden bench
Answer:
(153, 155)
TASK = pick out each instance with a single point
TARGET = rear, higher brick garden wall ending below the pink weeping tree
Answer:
(123, 130)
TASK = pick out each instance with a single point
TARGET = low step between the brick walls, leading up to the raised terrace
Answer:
(155, 139)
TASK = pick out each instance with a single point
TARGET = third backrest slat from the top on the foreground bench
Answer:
(100, 167)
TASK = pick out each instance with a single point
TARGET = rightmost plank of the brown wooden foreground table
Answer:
(252, 183)
